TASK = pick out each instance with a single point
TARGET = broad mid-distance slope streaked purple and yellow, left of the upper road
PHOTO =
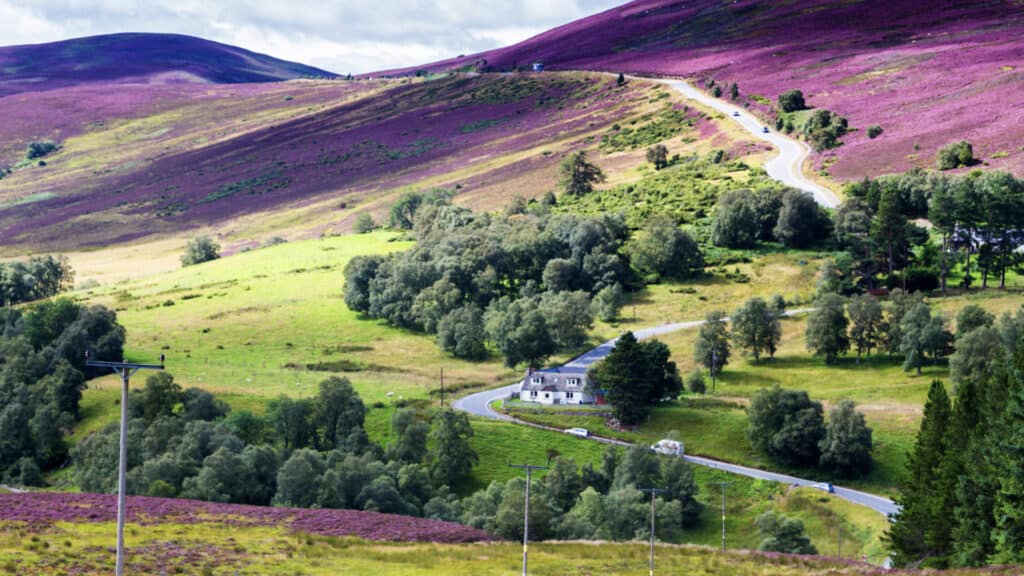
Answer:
(163, 159)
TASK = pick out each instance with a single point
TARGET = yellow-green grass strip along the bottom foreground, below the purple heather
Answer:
(221, 549)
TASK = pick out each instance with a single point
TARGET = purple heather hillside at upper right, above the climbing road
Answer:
(928, 74)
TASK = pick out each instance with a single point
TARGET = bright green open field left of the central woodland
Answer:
(253, 323)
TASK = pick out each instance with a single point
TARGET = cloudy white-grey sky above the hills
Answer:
(349, 36)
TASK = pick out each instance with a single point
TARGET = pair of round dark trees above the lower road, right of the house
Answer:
(790, 428)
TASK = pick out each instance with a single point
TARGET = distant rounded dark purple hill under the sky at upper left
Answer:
(157, 59)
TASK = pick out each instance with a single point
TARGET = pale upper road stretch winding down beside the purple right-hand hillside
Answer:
(788, 168)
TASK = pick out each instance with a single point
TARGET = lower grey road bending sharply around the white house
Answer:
(480, 405)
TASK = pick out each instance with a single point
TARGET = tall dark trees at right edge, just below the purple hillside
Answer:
(979, 217)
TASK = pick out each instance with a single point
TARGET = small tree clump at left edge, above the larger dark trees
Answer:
(35, 279)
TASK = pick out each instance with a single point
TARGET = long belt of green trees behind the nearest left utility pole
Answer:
(304, 452)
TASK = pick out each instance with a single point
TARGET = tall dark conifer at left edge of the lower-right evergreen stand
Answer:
(916, 527)
